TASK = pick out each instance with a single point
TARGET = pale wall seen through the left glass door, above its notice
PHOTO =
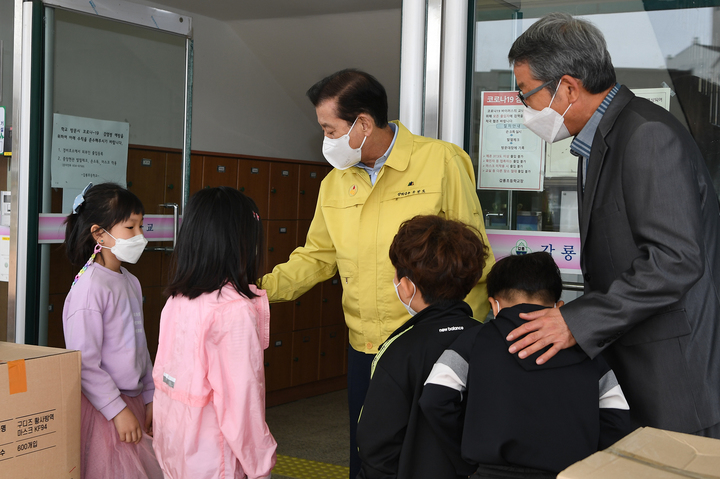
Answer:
(112, 71)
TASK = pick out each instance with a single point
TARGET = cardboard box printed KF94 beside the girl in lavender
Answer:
(39, 412)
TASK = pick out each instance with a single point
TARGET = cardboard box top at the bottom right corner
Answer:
(651, 453)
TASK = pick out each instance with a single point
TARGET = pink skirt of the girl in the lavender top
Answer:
(104, 456)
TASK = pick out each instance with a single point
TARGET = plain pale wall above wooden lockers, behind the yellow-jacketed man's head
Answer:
(250, 77)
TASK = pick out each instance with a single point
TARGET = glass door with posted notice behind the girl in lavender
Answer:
(112, 104)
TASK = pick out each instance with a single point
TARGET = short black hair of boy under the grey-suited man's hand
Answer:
(535, 274)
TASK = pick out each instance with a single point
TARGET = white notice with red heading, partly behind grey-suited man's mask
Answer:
(511, 156)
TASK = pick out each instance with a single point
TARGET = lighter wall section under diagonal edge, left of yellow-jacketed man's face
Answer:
(239, 106)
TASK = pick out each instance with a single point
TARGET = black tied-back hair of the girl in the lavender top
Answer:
(105, 205)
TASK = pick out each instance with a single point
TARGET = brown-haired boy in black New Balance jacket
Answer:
(437, 263)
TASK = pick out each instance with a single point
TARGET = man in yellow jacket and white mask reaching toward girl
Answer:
(383, 176)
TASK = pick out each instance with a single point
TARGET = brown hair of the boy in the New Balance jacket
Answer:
(444, 258)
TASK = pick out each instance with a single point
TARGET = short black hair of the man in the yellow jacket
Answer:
(355, 92)
